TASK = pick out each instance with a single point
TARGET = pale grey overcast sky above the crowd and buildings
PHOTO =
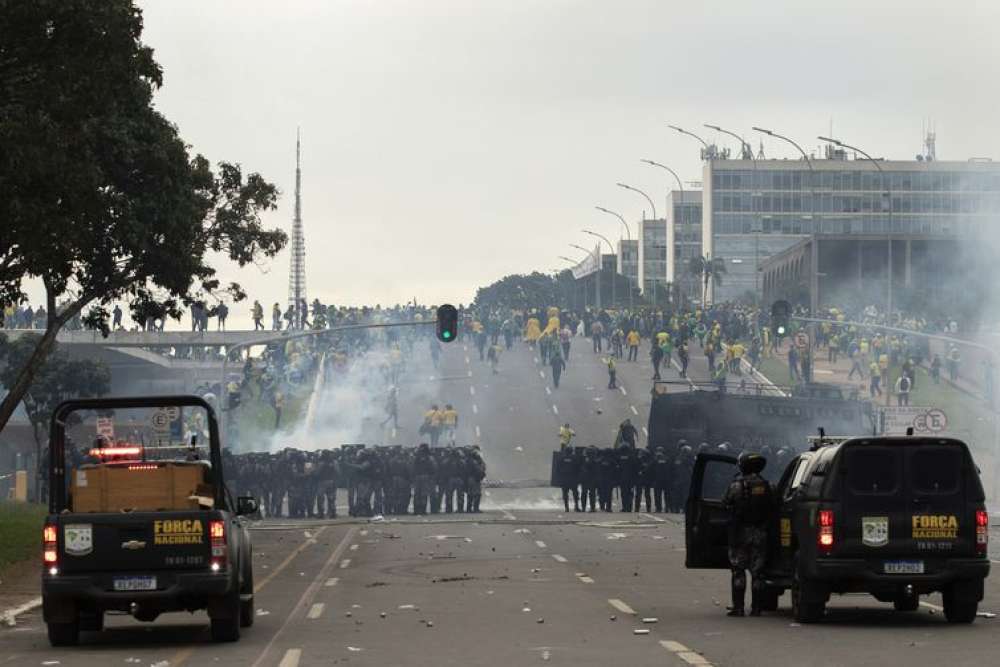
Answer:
(447, 143)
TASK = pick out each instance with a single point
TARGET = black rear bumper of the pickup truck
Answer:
(63, 595)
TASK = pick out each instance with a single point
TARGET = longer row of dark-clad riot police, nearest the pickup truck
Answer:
(380, 480)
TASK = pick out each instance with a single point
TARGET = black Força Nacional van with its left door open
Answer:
(895, 517)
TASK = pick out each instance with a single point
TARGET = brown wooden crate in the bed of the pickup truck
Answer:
(138, 486)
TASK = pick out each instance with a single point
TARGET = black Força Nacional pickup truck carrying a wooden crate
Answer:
(140, 528)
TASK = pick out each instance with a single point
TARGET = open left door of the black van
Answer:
(706, 522)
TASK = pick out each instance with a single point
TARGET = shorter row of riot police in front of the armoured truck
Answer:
(659, 475)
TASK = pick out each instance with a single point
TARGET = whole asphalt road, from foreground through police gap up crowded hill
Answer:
(524, 582)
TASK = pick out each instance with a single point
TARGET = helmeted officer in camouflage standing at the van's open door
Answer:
(750, 502)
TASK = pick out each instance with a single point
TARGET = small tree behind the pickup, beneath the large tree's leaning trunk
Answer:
(57, 379)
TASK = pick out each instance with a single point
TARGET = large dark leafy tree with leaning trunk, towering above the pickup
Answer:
(101, 199)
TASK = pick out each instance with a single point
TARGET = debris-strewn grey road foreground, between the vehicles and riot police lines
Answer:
(513, 588)
